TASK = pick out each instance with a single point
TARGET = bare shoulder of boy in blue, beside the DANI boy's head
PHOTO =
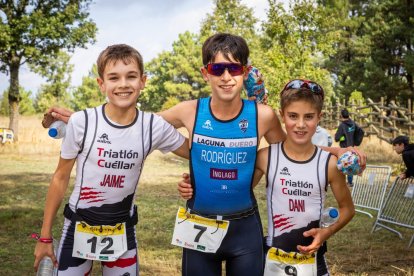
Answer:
(269, 124)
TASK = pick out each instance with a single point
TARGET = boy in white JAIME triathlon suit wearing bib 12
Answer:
(109, 143)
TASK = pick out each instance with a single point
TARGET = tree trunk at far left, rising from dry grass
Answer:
(14, 97)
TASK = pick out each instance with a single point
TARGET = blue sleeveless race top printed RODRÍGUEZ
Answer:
(223, 156)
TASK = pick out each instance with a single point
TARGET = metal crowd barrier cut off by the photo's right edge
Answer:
(398, 208)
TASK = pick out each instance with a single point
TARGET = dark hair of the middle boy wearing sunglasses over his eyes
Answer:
(227, 44)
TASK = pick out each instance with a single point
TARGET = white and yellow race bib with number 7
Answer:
(198, 233)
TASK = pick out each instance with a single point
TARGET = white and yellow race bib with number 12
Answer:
(101, 243)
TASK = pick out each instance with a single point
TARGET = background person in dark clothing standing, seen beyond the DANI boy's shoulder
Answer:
(345, 135)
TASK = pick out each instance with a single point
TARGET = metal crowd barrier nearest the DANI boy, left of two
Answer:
(369, 188)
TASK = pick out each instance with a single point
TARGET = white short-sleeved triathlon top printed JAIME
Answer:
(111, 161)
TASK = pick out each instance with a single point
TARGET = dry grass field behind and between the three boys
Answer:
(26, 169)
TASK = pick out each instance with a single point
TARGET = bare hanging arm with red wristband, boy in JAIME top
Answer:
(54, 198)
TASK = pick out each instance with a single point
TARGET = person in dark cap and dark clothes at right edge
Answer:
(402, 146)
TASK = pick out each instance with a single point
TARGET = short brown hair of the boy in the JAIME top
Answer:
(117, 52)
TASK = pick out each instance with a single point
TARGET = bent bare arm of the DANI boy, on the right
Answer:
(345, 205)
